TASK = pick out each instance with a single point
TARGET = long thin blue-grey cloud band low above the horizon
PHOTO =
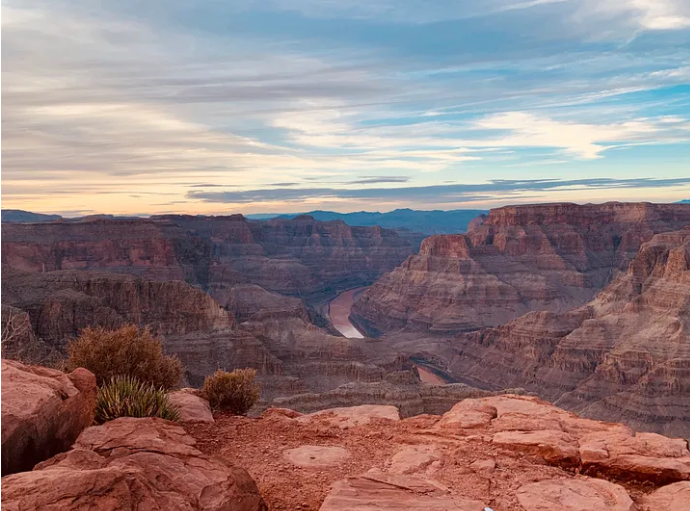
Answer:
(433, 194)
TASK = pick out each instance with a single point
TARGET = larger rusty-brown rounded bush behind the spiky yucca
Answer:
(127, 351)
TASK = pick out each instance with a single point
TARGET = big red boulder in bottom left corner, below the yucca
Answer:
(133, 464)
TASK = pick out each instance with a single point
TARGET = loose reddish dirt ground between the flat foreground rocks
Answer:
(468, 466)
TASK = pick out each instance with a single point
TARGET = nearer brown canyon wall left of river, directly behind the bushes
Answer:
(290, 354)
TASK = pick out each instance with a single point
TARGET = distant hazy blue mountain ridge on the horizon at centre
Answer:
(425, 222)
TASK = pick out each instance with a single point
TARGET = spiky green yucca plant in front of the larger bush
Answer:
(126, 396)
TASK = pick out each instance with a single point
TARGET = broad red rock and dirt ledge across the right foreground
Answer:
(506, 452)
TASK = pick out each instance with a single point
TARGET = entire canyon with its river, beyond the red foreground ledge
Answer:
(585, 306)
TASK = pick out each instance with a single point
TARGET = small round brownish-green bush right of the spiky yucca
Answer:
(235, 392)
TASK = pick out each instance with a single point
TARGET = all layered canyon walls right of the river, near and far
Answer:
(612, 344)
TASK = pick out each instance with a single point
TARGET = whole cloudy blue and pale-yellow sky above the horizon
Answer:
(254, 106)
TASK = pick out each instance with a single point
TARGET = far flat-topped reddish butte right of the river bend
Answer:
(548, 257)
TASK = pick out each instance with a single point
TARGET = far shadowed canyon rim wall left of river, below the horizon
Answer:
(297, 257)
